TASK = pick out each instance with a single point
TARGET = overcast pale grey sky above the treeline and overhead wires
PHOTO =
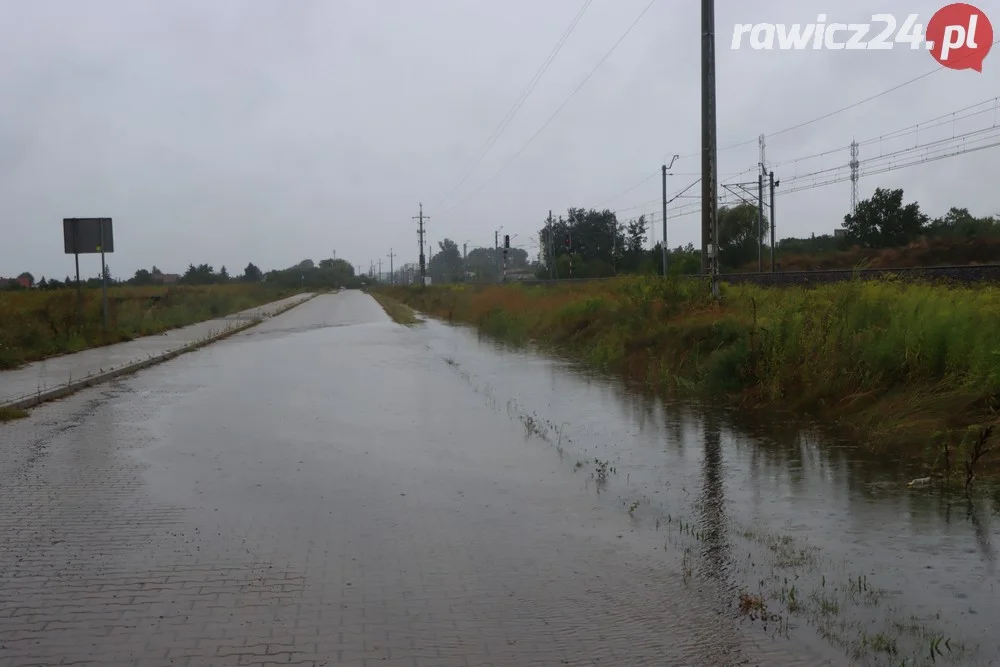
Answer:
(270, 131)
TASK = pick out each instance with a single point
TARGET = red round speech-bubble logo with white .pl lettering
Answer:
(960, 36)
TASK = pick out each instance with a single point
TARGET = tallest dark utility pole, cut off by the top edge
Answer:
(710, 148)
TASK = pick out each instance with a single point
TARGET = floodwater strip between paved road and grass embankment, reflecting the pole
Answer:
(814, 539)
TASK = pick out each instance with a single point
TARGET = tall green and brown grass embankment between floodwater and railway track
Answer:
(905, 366)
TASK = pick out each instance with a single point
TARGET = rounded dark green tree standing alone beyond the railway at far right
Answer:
(883, 222)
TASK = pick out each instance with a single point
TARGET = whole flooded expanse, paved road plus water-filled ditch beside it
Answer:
(332, 488)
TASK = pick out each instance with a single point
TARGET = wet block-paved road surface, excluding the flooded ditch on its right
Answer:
(323, 490)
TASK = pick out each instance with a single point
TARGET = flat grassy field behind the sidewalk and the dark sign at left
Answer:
(36, 324)
